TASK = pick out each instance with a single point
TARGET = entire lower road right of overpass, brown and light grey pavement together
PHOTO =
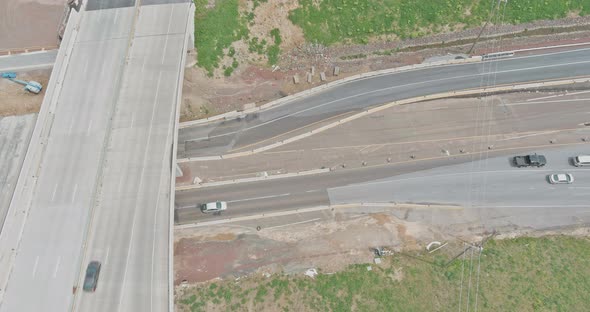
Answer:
(488, 183)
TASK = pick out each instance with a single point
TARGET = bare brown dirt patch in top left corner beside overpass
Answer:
(29, 23)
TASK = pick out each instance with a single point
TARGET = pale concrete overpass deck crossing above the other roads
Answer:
(100, 187)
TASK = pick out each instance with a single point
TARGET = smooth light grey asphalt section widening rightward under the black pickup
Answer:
(489, 183)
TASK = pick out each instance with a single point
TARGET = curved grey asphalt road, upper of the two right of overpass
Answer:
(221, 137)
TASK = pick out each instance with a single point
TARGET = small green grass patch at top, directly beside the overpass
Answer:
(215, 30)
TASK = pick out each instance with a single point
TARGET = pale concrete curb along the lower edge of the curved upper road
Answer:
(435, 96)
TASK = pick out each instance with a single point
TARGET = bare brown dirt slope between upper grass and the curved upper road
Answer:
(255, 82)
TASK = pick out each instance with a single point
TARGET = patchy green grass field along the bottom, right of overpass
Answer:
(522, 274)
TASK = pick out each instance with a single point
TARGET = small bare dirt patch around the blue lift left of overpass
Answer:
(15, 100)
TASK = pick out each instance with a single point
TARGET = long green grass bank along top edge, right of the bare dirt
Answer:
(344, 21)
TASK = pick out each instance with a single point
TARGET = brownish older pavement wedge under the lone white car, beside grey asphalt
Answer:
(292, 193)
